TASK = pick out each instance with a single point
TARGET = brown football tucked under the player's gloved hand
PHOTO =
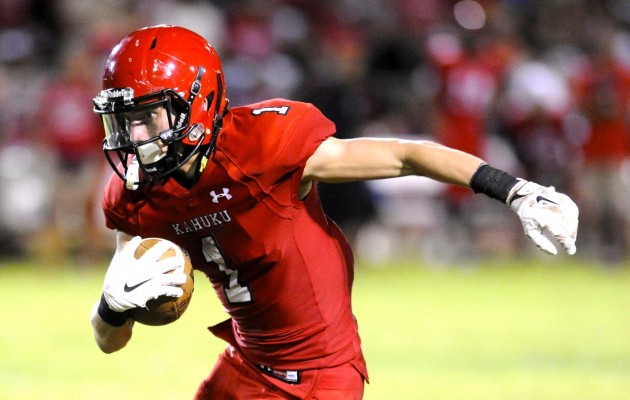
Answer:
(164, 309)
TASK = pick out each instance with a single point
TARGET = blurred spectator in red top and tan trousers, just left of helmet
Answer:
(66, 127)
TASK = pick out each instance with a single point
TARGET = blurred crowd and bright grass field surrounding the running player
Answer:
(540, 88)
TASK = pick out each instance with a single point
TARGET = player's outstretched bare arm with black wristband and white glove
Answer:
(540, 209)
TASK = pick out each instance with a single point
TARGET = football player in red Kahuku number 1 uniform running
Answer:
(236, 188)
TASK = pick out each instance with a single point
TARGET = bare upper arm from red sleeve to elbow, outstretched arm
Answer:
(337, 160)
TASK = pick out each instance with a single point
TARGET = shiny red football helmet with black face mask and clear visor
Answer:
(153, 68)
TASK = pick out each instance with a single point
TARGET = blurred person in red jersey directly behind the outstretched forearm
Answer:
(468, 85)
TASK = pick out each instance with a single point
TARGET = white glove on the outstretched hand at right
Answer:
(543, 210)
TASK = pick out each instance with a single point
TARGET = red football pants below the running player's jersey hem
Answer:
(234, 378)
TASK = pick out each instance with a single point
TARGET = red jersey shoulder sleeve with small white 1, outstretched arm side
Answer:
(269, 144)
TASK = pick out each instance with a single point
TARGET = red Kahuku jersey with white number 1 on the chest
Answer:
(281, 268)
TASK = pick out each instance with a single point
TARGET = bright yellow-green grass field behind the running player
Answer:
(540, 331)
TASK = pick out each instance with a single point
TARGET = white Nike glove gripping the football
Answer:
(131, 282)
